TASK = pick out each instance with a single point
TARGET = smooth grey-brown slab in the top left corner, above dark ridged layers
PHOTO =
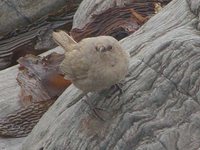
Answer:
(16, 14)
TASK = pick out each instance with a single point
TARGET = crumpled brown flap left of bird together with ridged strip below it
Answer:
(41, 84)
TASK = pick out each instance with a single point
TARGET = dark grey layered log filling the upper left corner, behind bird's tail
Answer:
(32, 37)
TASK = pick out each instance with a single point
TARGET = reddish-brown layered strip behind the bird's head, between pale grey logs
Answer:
(118, 22)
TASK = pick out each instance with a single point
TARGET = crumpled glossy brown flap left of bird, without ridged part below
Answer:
(40, 78)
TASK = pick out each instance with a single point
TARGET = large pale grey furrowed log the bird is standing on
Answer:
(160, 105)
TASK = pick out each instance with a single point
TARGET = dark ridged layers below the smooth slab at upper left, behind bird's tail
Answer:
(35, 37)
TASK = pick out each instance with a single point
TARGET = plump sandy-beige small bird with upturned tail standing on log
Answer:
(93, 64)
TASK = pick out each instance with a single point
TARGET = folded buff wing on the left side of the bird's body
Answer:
(75, 66)
